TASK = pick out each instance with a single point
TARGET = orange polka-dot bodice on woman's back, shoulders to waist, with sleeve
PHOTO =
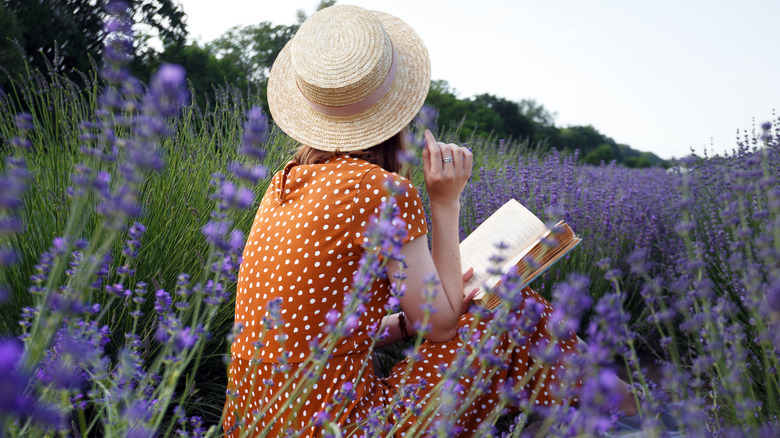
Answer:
(303, 250)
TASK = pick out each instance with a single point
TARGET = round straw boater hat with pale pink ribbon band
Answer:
(349, 79)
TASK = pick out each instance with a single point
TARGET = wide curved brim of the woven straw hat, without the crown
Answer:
(370, 127)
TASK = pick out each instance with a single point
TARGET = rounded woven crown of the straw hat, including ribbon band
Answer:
(340, 55)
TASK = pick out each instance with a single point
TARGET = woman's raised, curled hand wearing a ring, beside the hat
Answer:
(447, 168)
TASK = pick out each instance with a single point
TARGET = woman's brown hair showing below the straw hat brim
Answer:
(384, 155)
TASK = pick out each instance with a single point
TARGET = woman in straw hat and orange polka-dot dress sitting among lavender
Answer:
(345, 87)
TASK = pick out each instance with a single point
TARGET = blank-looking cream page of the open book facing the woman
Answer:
(512, 225)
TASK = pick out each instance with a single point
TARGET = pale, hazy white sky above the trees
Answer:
(666, 76)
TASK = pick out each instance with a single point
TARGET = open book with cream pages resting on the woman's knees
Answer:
(531, 248)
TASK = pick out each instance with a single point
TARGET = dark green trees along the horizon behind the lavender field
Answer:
(66, 36)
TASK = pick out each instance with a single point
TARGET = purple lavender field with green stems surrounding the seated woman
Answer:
(123, 211)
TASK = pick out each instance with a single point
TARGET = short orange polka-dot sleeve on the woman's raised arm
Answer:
(372, 192)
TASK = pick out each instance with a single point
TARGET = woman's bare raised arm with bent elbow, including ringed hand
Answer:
(444, 182)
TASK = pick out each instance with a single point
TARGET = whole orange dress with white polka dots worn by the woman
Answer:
(303, 251)
